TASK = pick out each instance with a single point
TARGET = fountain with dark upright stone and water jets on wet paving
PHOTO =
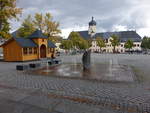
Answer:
(86, 69)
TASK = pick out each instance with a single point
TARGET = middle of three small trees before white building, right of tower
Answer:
(115, 42)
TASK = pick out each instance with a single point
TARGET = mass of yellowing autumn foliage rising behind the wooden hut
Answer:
(42, 22)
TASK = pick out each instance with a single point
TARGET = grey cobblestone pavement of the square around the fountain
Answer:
(23, 93)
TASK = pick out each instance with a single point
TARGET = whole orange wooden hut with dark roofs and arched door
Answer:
(35, 47)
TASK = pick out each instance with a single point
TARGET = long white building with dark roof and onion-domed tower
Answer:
(91, 33)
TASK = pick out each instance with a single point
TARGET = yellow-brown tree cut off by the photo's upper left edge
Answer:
(8, 10)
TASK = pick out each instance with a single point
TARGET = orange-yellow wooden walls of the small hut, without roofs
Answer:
(14, 52)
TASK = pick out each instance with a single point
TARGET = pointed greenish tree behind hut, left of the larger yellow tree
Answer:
(27, 27)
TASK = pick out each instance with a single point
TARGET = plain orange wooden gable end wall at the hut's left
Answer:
(12, 51)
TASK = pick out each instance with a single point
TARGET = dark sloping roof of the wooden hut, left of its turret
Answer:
(24, 42)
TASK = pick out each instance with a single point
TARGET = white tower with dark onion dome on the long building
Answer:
(92, 27)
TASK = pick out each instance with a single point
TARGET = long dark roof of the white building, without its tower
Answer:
(123, 35)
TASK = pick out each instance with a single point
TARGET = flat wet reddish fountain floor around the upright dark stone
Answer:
(97, 71)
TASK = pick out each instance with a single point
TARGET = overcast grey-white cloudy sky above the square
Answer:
(110, 15)
